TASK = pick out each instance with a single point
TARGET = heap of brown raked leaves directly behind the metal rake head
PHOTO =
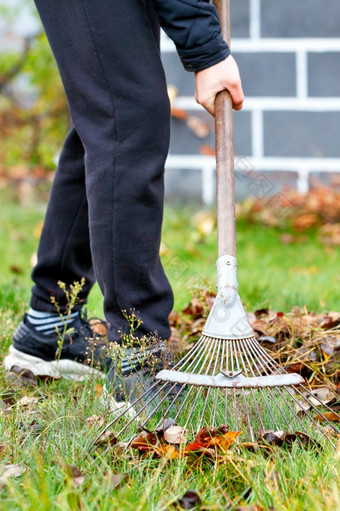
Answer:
(301, 341)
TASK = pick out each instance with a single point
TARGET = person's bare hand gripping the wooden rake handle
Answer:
(221, 76)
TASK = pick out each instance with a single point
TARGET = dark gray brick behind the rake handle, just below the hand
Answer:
(184, 141)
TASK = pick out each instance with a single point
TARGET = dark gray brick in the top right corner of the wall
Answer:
(300, 18)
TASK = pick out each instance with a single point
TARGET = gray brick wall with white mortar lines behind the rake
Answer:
(289, 130)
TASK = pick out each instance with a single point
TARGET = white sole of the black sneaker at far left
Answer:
(63, 368)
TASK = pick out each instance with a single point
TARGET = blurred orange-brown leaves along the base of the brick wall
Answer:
(319, 208)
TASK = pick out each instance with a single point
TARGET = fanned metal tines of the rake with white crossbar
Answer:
(226, 382)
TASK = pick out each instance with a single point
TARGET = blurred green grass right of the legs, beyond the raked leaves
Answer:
(270, 273)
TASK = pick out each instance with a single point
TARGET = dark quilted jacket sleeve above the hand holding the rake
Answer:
(194, 27)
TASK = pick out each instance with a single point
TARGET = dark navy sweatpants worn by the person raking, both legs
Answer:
(104, 216)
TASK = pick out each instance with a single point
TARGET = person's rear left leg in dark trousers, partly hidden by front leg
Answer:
(64, 249)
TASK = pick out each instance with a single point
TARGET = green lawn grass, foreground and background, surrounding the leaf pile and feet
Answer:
(46, 435)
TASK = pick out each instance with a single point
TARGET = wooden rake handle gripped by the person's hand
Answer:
(225, 176)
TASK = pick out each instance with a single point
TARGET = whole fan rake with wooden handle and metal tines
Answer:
(227, 377)
